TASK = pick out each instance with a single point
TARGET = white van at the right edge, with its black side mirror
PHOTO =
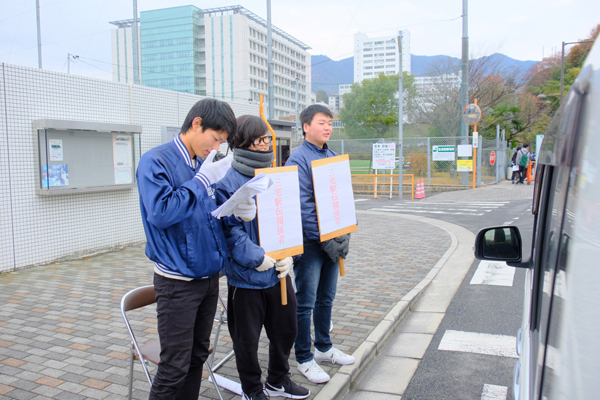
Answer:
(559, 340)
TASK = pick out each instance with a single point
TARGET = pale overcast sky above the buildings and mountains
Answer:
(521, 29)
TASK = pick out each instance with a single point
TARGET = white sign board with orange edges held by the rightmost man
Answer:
(334, 196)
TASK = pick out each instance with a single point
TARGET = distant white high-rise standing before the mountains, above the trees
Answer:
(373, 56)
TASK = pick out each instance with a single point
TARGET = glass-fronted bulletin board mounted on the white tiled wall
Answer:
(76, 156)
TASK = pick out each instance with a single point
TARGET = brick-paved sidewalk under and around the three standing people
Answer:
(62, 336)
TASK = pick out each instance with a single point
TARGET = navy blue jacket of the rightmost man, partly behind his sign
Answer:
(302, 157)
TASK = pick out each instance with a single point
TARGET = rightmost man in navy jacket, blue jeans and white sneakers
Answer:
(317, 269)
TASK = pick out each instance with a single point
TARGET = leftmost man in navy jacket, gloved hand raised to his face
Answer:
(185, 242)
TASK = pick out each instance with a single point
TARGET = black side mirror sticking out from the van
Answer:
(502, 243)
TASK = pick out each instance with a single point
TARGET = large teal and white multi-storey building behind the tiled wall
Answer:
(222, 53)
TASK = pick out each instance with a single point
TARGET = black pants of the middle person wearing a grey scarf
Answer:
(247, 311)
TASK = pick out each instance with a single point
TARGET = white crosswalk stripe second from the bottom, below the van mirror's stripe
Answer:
(480, 343)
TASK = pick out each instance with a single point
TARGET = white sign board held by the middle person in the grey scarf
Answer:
(278, 212)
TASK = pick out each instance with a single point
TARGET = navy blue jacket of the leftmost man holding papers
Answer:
(184, 239)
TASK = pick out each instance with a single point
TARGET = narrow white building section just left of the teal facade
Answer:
(122, 54)
